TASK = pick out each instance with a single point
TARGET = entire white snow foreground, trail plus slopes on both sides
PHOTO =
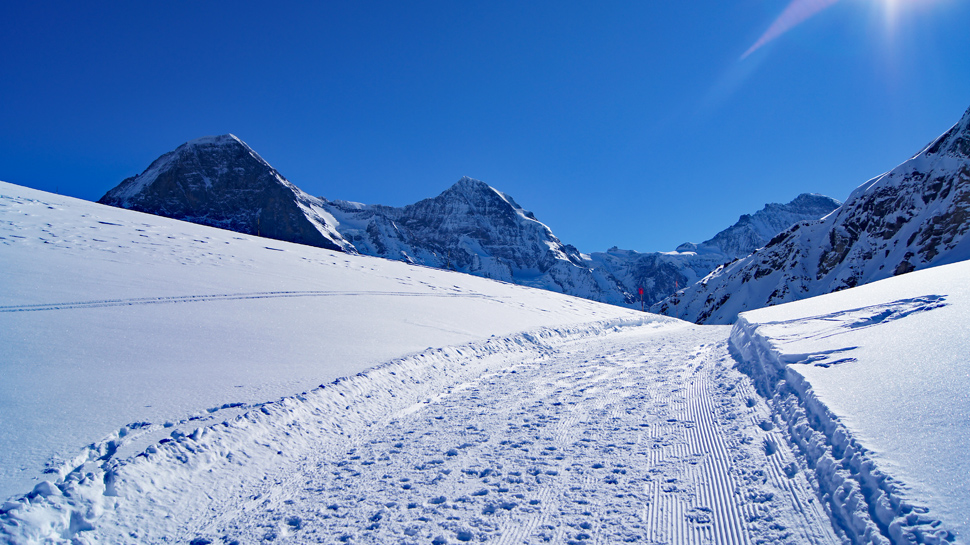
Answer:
(183, 384)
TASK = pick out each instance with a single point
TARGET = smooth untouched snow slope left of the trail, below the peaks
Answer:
(114, 323)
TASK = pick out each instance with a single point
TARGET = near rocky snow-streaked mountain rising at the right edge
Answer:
(912, 217)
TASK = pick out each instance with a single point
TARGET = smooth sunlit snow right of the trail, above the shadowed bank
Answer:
(888, 361)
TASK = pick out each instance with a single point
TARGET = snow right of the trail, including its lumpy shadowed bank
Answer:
(872, 385)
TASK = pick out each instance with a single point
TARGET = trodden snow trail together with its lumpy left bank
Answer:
(581, 434)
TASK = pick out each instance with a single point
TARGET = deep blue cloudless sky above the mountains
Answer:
(618, 123)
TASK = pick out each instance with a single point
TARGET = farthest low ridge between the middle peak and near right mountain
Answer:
(662, 273)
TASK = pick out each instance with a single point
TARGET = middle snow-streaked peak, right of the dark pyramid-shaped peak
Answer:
(474, 228)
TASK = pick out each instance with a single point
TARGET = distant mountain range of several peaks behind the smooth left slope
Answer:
(470, 227)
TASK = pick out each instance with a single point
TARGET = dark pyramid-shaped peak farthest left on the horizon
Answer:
(221, 182)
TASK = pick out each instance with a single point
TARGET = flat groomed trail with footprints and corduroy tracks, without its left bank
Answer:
(647, 437)
